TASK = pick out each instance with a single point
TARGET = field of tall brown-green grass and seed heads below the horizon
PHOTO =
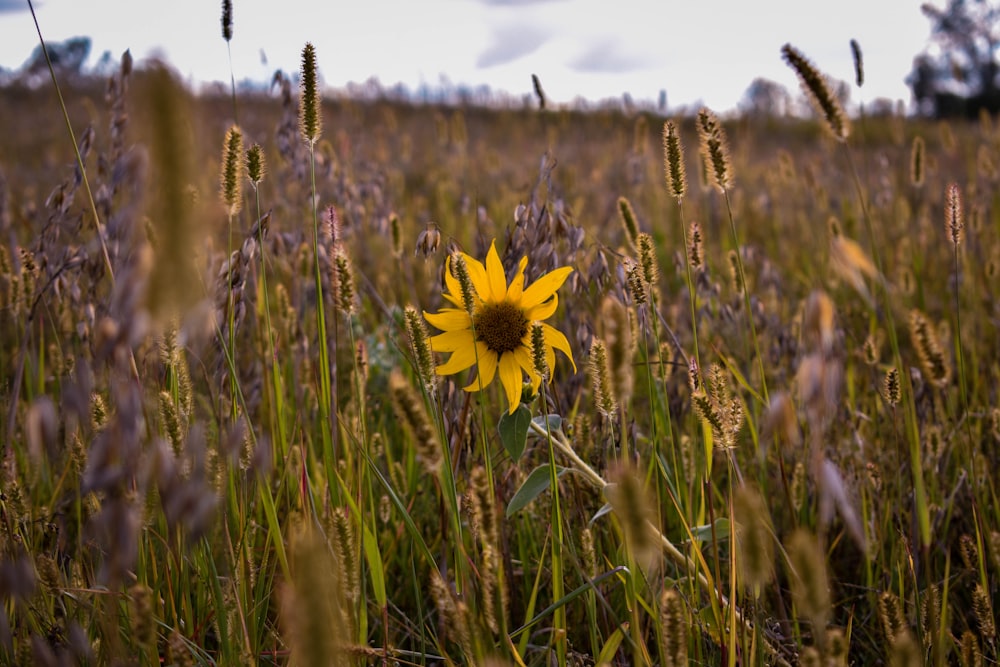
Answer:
(765, 385)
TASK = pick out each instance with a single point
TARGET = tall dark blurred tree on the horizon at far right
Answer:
(958, 74)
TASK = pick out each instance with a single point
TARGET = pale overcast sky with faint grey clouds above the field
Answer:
(698, 51)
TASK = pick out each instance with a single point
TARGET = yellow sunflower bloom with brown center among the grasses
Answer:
(496, 331)
